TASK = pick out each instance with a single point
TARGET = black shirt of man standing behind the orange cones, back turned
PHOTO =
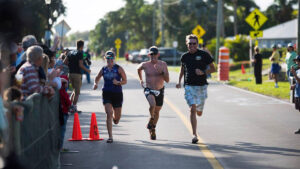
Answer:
(74, 57)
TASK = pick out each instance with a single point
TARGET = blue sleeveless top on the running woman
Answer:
(109, 75)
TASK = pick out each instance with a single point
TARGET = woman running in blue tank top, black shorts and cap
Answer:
(112, 95)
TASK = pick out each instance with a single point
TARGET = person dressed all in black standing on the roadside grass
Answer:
(257, 65)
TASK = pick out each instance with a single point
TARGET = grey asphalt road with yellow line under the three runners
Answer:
(238, 129)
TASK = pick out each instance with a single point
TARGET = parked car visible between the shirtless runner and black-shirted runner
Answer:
(170, 55)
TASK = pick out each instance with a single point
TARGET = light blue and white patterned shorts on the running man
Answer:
(195, 95)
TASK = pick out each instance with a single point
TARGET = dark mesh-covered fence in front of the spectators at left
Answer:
(35, 140)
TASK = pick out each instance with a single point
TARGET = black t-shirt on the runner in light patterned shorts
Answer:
(191, 62)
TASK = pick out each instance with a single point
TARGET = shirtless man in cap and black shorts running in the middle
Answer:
(156, 72)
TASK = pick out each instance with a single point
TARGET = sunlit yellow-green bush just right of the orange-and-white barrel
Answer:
(239, 48)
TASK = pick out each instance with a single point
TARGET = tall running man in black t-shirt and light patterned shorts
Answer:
(195, 65)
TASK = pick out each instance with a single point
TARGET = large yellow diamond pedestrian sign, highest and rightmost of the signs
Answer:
(256, 19)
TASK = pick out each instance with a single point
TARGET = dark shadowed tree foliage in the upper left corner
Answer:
(23, 17)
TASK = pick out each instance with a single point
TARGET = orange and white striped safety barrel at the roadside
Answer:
(223, 66)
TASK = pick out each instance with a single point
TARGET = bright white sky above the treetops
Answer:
(84, 15)
